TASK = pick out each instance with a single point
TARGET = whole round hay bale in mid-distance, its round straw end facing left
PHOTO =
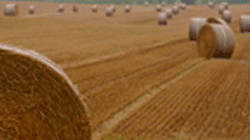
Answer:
(215, 40)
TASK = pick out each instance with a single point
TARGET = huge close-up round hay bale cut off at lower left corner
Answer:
(38, 101)
